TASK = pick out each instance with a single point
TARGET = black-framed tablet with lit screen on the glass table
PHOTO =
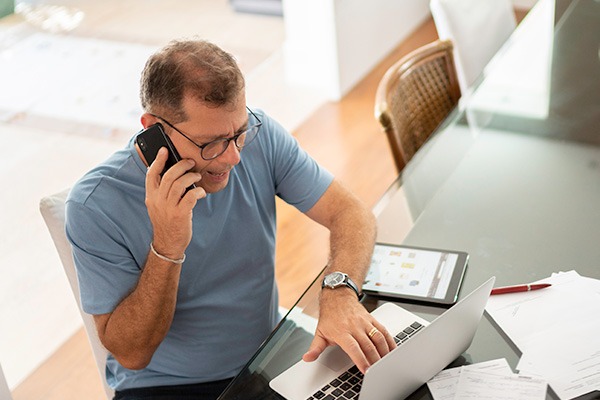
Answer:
(416, 273)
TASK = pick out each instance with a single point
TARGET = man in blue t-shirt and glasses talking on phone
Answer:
(181, 283)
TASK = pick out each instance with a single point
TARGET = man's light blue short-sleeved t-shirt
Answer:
(227, 302)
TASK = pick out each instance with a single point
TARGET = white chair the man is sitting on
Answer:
(53, 210)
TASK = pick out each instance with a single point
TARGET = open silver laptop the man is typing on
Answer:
(423, 350)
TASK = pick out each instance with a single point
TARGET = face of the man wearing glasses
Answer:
(204, 125)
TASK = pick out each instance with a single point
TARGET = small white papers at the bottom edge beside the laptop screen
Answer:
(491, 380)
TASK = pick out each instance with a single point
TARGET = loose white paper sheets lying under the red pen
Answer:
(558, 331)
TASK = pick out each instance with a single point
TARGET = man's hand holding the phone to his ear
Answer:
(170, 208)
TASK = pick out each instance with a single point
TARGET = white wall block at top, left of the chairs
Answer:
(332, 44)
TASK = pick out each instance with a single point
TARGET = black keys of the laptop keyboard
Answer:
(348, 384)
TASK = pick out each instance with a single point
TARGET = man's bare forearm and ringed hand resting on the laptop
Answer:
(342, 319)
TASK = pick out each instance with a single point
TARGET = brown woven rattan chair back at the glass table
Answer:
(414, 96)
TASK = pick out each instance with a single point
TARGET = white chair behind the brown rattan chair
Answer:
(478, 28)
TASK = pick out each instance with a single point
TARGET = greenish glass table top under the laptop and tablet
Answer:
(512, 177)
